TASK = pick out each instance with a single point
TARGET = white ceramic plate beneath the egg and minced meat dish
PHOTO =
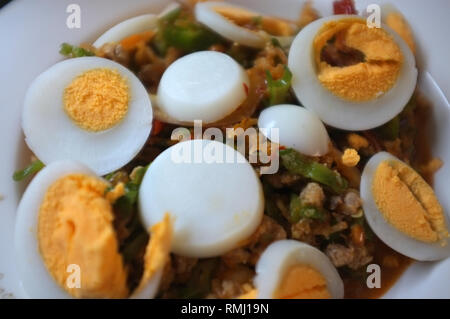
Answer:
(32, 30)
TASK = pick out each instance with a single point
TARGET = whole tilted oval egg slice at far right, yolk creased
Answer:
(402, 209)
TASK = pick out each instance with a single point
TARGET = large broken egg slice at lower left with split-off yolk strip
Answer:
(66, 244)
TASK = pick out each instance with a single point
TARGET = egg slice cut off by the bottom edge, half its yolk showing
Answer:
(289, 269)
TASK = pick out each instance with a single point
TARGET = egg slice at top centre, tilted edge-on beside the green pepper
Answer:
(242, 25)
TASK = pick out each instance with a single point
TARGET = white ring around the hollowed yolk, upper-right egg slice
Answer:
(338, 112)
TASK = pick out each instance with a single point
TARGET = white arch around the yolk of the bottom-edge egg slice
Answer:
(282, 255)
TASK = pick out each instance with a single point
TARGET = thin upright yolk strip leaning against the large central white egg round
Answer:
(158, 249)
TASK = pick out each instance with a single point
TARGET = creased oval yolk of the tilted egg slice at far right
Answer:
(408, 203)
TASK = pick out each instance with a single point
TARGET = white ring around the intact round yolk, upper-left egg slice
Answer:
(53, 136)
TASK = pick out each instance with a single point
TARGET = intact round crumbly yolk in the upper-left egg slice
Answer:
(97, 99)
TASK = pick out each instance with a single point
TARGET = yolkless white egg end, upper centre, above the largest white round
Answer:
(204, 85)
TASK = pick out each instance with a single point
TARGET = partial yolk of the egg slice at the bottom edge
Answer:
(302, 282)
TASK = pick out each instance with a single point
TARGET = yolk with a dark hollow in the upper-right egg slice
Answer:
(366, 61)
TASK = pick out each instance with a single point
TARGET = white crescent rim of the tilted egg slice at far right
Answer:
(391, 236)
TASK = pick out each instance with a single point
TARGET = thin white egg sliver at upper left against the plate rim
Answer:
(127, 28)
